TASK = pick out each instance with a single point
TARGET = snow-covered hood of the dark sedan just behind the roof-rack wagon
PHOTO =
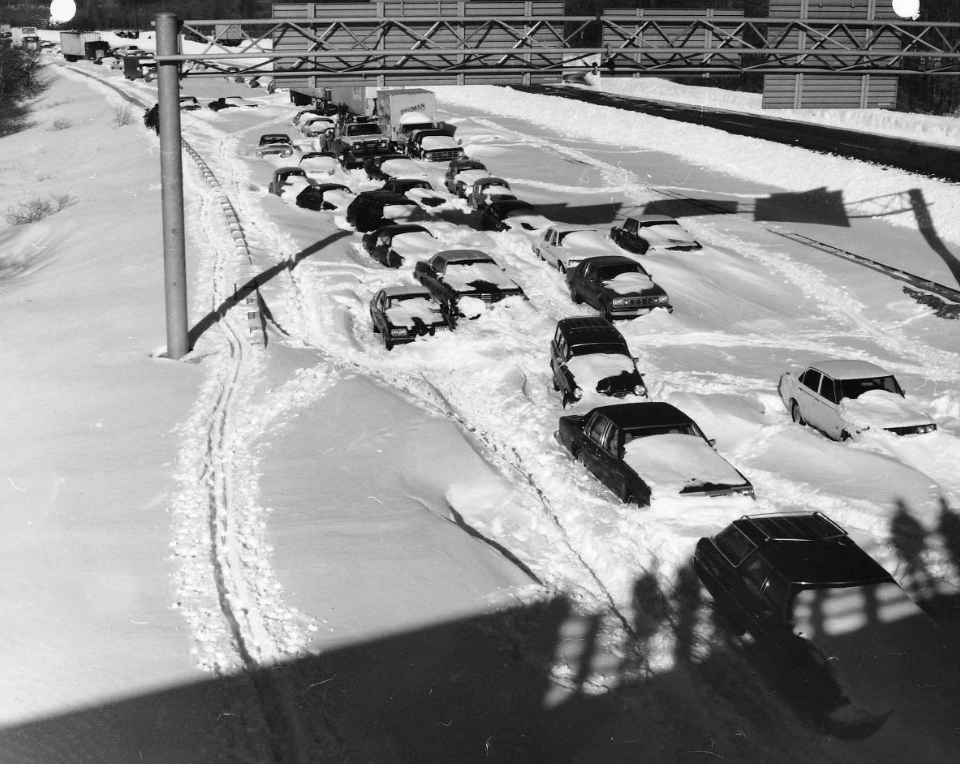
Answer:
(673, 464)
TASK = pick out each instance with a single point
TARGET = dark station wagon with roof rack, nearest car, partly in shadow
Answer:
(801, 586)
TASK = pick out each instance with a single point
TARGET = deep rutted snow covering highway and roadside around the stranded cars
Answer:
(303, 542)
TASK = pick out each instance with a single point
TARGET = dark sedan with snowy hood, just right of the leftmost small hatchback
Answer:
(464, 281)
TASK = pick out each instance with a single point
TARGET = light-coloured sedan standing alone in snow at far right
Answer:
(843, 398)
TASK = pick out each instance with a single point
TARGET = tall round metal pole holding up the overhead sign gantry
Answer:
(171, 186)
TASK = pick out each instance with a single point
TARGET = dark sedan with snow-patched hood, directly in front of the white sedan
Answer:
(617, 286)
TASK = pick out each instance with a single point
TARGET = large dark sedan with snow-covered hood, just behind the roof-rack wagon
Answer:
(648, 450)
